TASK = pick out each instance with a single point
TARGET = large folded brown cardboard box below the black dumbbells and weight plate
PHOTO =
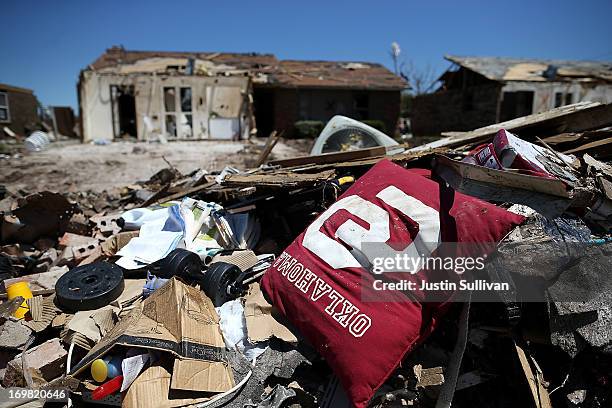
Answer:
(177, 319)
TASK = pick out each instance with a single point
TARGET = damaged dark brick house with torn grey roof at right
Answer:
(478, 91)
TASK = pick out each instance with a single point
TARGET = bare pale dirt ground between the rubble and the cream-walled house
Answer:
(72, 166)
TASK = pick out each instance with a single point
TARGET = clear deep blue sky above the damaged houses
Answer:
(47, 43)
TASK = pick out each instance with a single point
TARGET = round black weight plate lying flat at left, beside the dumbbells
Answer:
(89, 287)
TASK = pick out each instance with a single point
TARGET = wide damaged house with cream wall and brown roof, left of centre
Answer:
(226, 96)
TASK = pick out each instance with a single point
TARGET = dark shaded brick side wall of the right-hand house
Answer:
(454, 110)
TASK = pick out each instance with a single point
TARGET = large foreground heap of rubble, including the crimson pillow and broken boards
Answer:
(253, 287)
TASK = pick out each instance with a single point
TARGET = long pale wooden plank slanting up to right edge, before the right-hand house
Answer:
(571, 118)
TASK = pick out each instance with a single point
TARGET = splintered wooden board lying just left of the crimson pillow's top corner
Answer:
(278, 179)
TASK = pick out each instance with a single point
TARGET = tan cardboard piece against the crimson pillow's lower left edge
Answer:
(260, 319)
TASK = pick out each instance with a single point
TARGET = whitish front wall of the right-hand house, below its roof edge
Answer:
(544, 92)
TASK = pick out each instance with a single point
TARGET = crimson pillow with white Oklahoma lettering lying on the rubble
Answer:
(319, 285)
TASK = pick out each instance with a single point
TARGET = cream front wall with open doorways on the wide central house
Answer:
(208, 103)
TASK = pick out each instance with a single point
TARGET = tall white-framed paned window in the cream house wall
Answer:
(178, 112)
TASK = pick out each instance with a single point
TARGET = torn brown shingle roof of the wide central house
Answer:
(265, 69)
